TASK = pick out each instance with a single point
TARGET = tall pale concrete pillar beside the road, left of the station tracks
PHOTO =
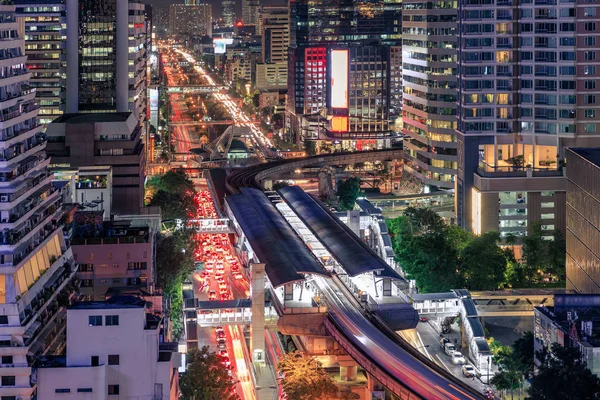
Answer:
(257, 328)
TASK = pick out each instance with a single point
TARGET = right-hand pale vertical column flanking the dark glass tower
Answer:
(122, 39)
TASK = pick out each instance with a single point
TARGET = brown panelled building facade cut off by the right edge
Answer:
(583, 220)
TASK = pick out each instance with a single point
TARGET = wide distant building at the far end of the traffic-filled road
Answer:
(195, 20)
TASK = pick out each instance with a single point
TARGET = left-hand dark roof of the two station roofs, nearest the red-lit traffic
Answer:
(273, 240)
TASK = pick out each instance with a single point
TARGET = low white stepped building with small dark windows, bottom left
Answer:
(113, 351)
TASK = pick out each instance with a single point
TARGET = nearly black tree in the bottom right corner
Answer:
(563, 376)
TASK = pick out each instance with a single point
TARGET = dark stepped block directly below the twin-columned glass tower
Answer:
(103, 140)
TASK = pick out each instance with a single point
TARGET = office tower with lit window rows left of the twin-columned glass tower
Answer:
(44, 47)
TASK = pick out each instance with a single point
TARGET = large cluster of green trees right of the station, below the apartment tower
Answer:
(427, 248)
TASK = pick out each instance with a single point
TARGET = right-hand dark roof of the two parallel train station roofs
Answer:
(349, 250)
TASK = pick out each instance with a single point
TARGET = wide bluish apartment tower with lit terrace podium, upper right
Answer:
(527, 91)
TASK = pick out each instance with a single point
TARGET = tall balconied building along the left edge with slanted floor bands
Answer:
(35, 259)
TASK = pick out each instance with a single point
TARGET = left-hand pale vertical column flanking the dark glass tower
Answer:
(72, 82)
